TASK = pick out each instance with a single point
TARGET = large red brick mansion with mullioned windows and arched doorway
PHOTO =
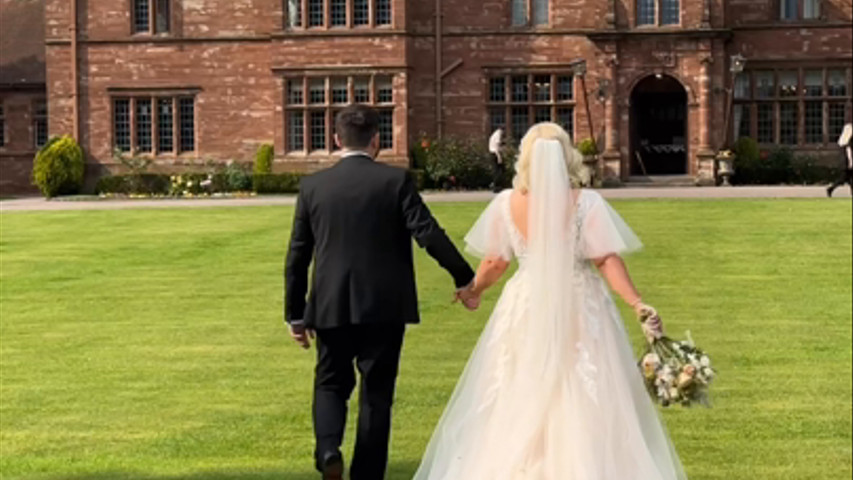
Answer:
(185, 81)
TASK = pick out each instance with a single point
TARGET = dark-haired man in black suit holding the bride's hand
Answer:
(356, 221)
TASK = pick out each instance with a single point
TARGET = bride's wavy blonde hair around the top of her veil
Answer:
(578, 173)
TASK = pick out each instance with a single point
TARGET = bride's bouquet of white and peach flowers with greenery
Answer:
(676, 372)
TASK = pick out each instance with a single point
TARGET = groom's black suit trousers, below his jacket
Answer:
(375, 352)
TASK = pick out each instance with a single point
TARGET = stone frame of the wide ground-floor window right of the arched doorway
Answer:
(800, 98)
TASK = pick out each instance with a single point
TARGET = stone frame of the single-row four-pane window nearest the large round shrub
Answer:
(155, 97)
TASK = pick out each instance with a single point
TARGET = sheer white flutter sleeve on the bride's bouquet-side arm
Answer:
(604, 232)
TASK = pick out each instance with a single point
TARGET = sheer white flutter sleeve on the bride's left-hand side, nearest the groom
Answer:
(489, 237)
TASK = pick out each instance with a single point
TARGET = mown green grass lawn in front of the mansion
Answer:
(148, 344)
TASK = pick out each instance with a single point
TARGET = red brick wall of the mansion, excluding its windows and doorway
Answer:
(237, 53)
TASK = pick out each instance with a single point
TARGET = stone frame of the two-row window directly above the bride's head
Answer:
(509, 105)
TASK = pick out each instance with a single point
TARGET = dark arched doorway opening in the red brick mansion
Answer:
(659, 127)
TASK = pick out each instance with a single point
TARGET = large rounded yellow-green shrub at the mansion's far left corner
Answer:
(59, 167)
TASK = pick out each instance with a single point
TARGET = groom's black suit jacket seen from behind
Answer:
(357, 220)
